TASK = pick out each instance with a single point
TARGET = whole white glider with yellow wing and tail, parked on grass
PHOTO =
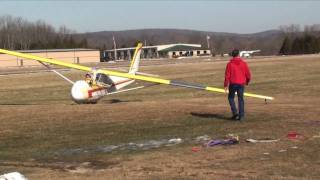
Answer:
(101, 82)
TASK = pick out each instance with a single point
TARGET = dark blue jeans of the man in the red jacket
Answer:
(233, 88)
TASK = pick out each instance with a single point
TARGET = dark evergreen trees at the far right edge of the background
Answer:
(297, 41)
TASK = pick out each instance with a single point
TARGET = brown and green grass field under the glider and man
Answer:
(41, 129)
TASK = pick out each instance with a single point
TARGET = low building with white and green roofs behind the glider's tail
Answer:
(158, 51)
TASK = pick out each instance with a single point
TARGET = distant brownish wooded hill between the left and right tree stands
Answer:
(268, 41)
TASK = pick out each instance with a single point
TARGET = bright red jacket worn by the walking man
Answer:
(237, 72)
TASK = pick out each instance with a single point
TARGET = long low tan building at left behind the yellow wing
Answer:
(66, 55)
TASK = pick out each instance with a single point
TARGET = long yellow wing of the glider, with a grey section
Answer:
(126, 75)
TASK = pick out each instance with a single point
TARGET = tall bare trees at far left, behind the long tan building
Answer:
(19, 34)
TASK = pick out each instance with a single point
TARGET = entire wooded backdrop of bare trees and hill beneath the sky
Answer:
(17, 33)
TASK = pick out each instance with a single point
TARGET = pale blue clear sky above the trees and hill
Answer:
(215, 16)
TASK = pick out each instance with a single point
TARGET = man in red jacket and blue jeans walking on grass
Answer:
(237, 75)
